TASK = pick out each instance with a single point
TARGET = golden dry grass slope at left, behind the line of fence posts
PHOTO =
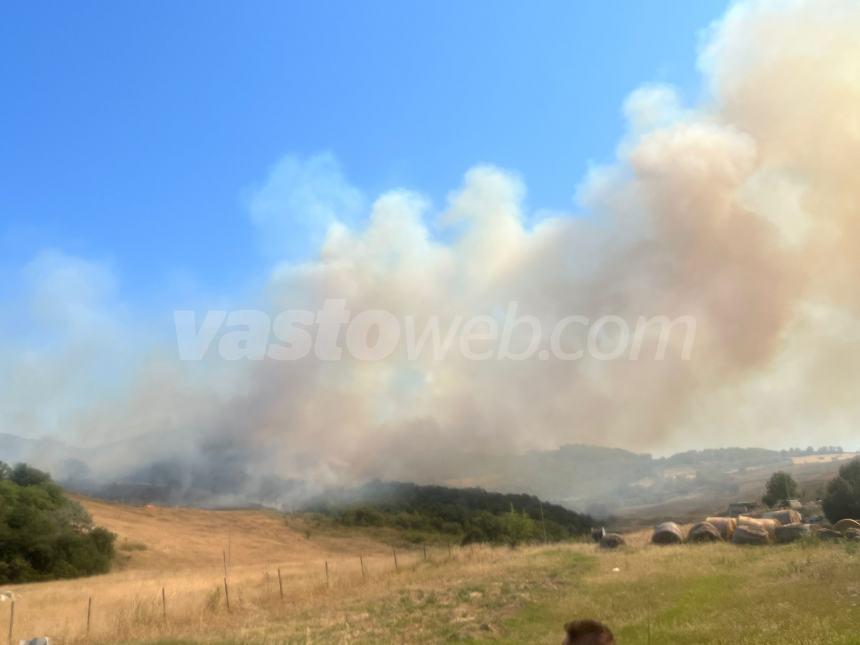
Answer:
(182, 550)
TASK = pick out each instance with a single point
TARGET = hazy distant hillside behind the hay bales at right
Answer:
(609, 481)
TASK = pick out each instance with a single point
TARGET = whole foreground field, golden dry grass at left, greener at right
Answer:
(802, 593)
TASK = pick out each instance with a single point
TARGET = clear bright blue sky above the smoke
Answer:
(133, 133)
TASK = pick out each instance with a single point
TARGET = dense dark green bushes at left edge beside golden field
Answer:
(43, 534)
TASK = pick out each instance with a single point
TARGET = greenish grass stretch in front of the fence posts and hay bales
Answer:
(704, 594)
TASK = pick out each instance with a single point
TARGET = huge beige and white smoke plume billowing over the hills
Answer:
(741, 211)
